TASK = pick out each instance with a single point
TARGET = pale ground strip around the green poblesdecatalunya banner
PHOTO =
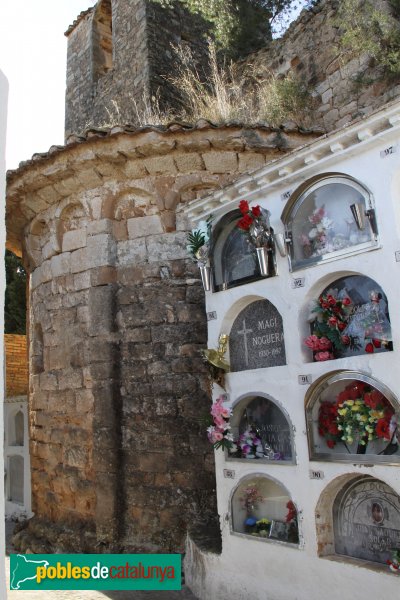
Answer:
(184, 594)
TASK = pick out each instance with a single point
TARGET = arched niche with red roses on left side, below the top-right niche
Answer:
(349, 317)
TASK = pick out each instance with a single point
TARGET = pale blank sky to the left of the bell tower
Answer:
(33, 51)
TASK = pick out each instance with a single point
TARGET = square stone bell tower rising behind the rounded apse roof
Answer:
(120, 53)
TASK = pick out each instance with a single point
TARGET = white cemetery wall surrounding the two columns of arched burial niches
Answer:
(264, 569)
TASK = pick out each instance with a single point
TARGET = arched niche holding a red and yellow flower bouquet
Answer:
(352, 417)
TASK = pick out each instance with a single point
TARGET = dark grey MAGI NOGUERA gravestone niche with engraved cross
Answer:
(256, 339)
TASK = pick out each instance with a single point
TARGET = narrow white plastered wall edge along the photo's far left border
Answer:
(3, 125)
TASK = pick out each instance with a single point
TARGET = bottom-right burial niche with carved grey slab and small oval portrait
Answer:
(366, 520)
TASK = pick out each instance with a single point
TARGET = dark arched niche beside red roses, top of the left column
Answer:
(233, 257)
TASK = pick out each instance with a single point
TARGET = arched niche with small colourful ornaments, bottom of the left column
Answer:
(262, 508)
